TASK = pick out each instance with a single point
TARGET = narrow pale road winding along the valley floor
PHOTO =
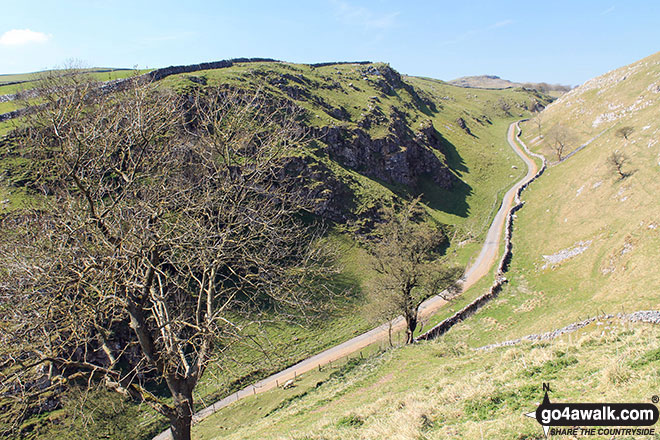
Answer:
(480, 267)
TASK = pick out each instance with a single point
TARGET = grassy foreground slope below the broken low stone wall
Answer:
(443, 390)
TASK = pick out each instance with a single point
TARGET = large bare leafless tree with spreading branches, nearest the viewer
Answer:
(172, 224)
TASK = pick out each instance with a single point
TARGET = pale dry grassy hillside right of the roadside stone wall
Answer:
(587, 240)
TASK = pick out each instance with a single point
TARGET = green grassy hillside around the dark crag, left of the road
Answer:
(349, 98)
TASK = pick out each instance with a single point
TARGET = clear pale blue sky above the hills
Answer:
(564, 42)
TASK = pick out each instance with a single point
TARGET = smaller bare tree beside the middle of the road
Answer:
(407, 257)
